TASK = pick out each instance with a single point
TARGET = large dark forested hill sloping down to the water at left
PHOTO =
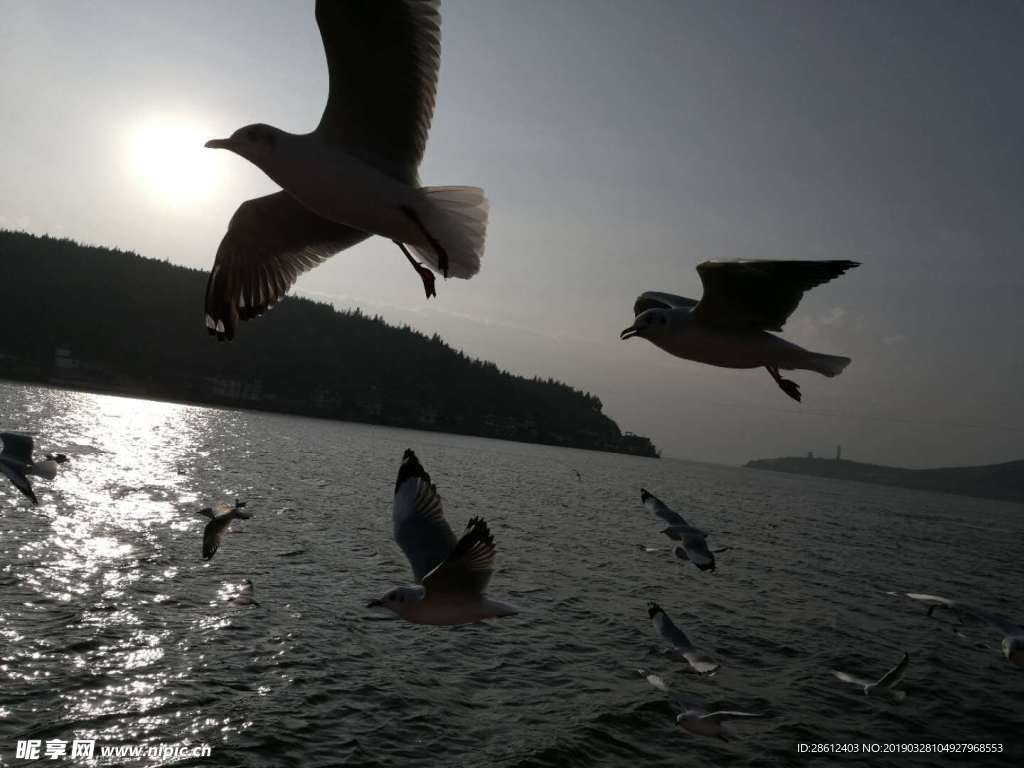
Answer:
(107, 320)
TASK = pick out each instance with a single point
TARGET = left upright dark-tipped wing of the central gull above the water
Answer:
(420, 528)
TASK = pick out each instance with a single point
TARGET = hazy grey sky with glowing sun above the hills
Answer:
(621, 144)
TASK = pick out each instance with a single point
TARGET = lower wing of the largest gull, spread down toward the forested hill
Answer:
(271, 241)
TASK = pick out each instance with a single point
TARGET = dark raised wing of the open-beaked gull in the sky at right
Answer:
(759, 294)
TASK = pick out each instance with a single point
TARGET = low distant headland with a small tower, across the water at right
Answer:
(1001, 482)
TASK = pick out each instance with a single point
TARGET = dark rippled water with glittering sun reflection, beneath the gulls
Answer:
(113, 628)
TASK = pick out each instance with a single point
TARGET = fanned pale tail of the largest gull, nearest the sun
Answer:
(456, 221)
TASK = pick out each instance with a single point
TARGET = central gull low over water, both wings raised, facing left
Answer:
(451, 575)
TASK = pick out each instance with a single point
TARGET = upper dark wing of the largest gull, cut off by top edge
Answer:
(382, 61)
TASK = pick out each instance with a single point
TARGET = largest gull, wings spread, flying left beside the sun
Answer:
(356, 175)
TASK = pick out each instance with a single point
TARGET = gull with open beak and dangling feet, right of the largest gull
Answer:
(743, 301)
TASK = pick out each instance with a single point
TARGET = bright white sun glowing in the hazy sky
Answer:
(168, 159)
